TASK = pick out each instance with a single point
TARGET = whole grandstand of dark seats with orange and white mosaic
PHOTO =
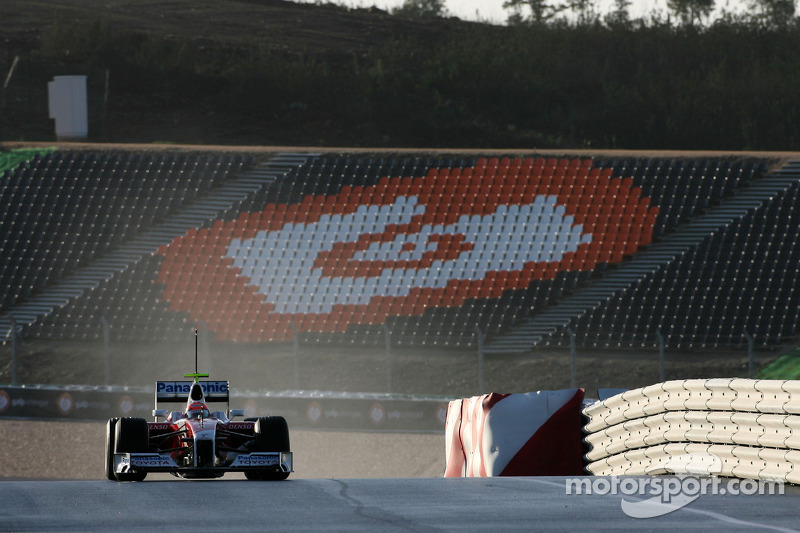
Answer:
(341, 248)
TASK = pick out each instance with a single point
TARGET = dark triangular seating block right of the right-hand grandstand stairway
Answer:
(741, 280)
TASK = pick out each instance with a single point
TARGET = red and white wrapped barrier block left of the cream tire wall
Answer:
(532, 434)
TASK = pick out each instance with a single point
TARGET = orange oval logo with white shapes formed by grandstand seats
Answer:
(401, 247)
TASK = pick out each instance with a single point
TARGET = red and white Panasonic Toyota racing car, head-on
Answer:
(197, 442)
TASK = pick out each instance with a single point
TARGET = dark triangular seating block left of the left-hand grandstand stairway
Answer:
(64, 209)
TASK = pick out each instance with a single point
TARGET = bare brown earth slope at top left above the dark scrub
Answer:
(317, 29)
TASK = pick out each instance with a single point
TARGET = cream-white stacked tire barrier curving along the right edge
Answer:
(732, 427)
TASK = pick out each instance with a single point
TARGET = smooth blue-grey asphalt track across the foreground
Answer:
(474, 504)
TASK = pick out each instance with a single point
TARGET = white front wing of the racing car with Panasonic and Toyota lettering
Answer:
(162, 462)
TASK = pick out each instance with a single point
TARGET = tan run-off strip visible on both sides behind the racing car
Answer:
(74, 450)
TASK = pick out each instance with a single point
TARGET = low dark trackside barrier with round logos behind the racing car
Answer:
(308, 410)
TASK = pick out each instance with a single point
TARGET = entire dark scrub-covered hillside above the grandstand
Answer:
(271, 72)
